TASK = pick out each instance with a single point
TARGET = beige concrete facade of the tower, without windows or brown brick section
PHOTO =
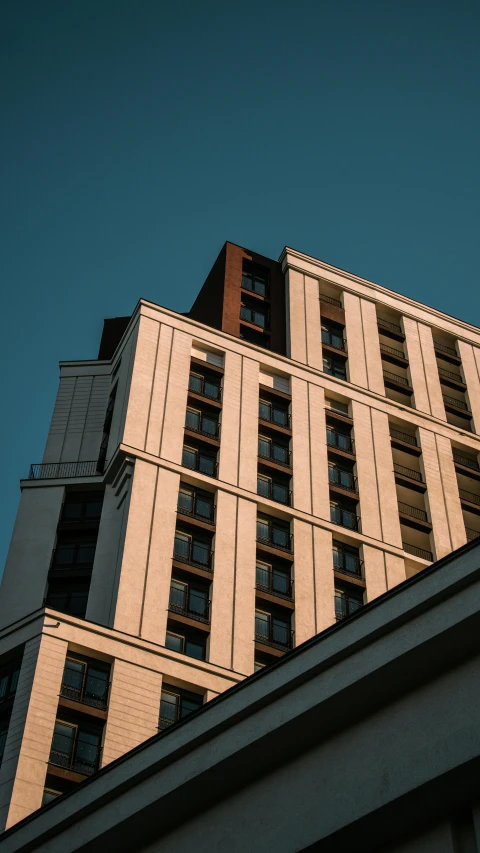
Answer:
(129, 611)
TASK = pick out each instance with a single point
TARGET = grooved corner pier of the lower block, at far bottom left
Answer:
(24, 765)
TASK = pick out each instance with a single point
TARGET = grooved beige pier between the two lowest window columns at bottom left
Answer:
(133, 709)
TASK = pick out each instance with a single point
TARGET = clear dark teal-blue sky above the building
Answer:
(138, 135)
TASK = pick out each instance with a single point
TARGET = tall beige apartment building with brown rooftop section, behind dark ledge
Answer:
(218, 487)
